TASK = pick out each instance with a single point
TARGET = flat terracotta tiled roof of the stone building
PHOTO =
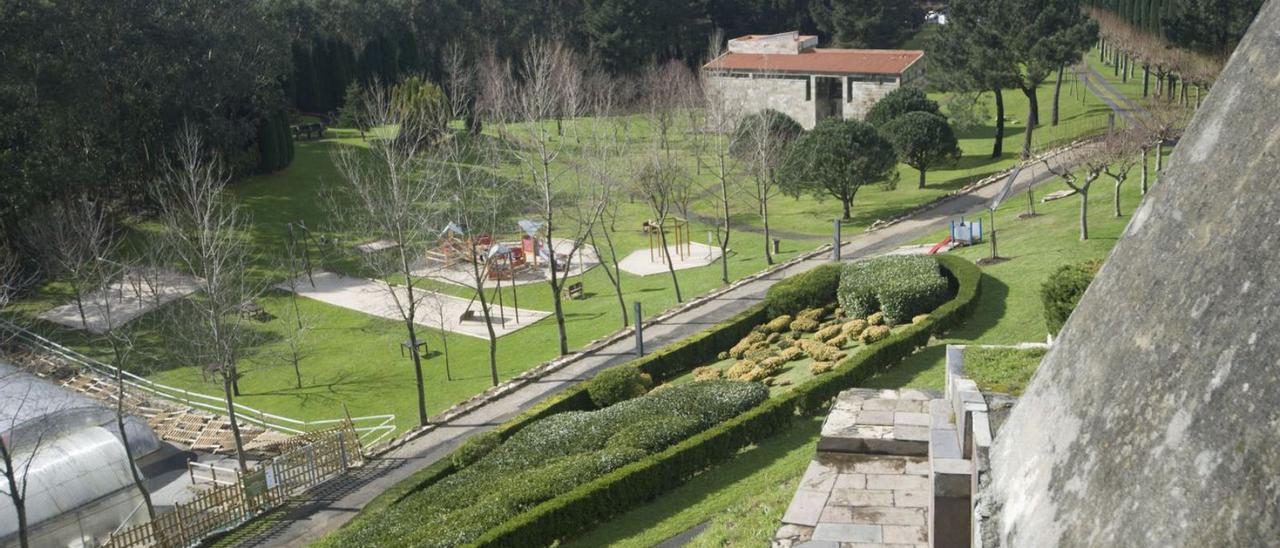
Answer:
(821, 61)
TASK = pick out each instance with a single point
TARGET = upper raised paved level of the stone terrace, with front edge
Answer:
(871, 422)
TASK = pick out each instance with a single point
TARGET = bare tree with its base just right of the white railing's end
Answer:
(387, 194)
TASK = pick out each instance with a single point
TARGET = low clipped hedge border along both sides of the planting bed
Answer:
(619, 491)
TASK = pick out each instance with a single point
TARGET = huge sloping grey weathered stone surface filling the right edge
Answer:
(1155, 421)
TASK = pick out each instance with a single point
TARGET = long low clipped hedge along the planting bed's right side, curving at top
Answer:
(614, 494)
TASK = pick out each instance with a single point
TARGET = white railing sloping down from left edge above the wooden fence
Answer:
(372, 430)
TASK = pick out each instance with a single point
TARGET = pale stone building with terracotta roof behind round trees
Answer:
(789, 74)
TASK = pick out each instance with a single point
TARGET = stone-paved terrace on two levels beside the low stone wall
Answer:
(868, 485)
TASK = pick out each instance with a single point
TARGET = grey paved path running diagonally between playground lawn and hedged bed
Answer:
(336, 503)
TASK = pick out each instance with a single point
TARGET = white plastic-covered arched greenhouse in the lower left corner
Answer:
(68, 453)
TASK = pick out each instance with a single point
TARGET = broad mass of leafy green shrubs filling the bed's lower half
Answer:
(552, 458)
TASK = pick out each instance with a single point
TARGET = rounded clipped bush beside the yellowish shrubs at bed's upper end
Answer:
(900, 287)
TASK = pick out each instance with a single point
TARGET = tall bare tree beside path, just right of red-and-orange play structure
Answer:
(548, 84)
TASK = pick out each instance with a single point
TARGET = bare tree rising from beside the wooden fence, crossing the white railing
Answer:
(205, 236)
